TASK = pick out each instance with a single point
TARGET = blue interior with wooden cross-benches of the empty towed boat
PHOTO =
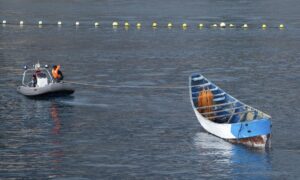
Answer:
(224, 108)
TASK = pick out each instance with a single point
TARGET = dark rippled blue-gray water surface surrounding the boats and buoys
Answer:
(114, 127)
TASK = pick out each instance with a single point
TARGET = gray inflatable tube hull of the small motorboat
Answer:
(52, 89)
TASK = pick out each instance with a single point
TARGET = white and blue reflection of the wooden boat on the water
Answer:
(231, 159)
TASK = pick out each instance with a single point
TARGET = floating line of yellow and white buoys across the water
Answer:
(138, 25)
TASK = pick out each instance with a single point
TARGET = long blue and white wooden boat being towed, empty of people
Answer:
(226, 117)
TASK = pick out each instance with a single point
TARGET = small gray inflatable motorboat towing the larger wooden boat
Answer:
(39, 82)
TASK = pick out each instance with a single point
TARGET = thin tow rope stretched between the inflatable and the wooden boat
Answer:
(127, 86)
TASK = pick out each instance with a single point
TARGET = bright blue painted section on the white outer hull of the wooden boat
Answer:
(251, 128)
